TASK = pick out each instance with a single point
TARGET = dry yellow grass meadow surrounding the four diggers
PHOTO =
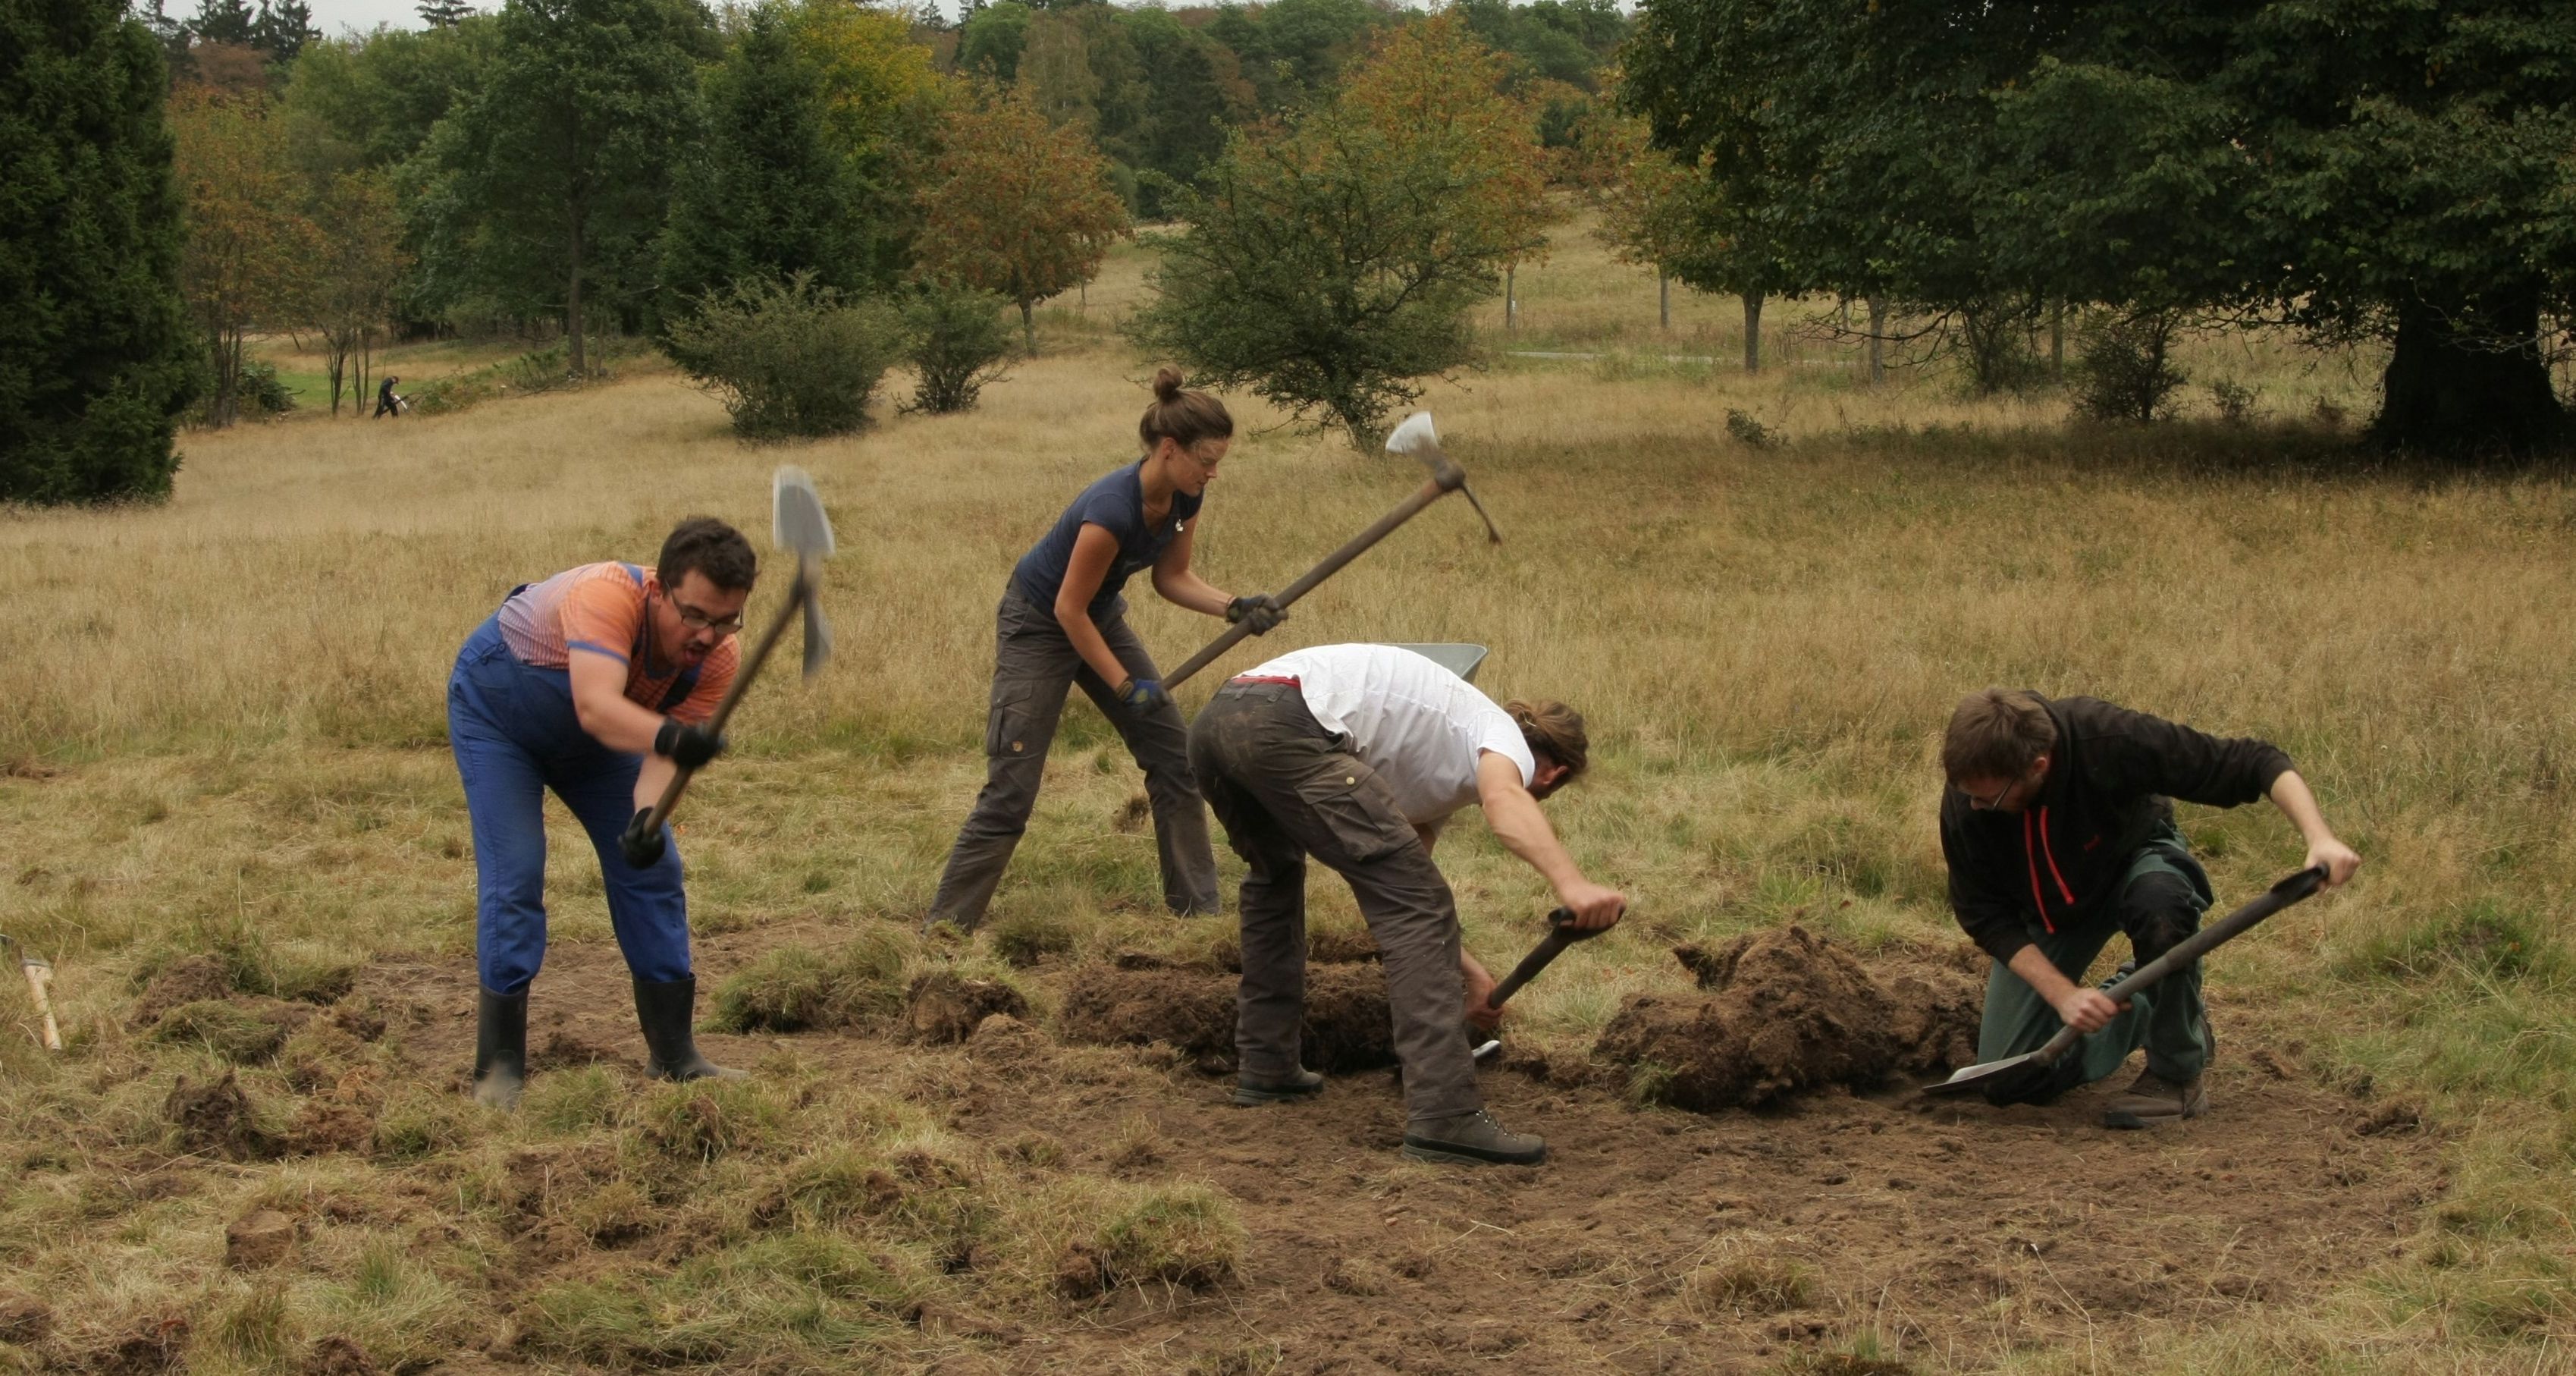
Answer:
(228, 728)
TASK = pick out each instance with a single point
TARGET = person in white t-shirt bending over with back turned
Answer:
(1356, 756)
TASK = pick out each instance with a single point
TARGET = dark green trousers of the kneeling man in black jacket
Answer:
(2157, 906)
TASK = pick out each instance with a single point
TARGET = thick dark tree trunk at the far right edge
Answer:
(2467, 380)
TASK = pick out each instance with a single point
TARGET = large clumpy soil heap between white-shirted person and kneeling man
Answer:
(1789, 1011)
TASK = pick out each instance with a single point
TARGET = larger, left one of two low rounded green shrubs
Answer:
(790, 357)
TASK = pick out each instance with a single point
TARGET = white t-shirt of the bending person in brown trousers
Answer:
(1413, 720)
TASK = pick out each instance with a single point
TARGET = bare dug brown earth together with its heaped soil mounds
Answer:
(1843, 1212)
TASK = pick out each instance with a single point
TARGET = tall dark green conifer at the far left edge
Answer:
(94, 344)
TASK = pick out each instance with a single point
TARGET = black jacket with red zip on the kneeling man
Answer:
(2106, 795)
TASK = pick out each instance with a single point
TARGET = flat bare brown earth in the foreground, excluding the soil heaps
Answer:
(1653, 1241)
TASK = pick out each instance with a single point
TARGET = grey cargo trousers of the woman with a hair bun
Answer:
(1034, 664)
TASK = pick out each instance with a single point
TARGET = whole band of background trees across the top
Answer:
(1346, 179)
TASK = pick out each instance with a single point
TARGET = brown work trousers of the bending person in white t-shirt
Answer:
(1287, 790)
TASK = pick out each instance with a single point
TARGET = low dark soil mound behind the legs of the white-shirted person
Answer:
(1191, 1009)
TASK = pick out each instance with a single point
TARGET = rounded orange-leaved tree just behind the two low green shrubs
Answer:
(1016, 207)
